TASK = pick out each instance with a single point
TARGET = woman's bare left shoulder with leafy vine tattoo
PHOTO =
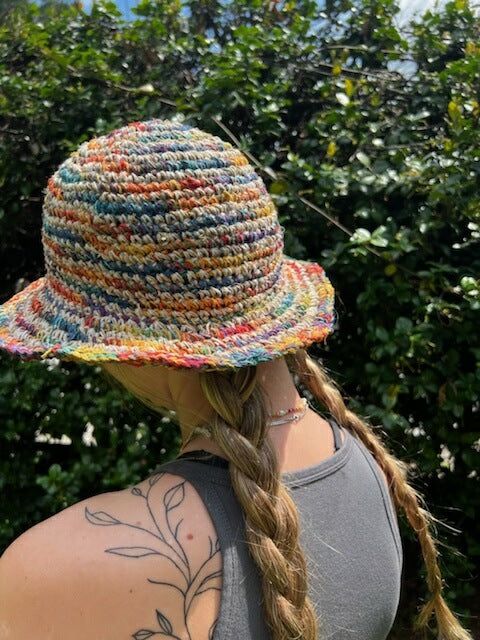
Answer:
(136, 563)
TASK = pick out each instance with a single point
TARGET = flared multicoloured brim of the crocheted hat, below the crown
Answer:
(299, 314)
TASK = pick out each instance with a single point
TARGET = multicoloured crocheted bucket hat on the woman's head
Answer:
(162, 245)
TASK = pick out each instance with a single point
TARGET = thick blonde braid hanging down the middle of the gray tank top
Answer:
(271, 517)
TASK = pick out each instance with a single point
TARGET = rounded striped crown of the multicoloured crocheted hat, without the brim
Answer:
(163, 217)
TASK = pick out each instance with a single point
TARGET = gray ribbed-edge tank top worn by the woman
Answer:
(348, 531)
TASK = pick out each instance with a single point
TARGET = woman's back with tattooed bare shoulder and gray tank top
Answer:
(168, 558)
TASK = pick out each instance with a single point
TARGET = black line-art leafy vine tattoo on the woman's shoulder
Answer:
(164, 542)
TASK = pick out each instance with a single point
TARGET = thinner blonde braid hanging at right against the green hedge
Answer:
(404, 495)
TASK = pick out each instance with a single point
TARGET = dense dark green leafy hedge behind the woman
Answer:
(375, 174)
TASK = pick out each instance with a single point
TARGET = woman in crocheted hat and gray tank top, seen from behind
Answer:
(165, 264)
